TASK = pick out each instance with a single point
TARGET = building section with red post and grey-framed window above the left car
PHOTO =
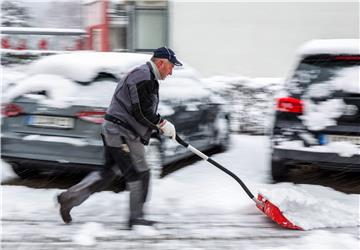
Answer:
(136, 26)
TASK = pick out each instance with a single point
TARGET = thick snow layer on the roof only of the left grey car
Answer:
(84, 66)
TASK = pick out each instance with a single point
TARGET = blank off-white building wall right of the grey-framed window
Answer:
(254, 38)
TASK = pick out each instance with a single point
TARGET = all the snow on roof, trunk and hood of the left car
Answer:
(58, 75)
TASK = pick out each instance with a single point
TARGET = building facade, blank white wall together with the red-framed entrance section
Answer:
(251, 38)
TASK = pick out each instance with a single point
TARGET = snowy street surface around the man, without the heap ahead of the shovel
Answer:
(208, 216)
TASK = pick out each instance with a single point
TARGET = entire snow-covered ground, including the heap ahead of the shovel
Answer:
(199, 207)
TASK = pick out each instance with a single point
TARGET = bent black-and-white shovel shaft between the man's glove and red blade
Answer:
(216, 164)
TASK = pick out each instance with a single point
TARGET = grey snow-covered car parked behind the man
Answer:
(51, 118)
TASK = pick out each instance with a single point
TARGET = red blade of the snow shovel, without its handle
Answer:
(274, 213)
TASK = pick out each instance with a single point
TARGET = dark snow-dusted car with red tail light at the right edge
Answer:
(318, 123)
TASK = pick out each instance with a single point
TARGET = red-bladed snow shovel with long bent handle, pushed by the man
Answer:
(268, 208)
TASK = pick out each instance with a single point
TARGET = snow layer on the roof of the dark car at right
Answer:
(331, 46)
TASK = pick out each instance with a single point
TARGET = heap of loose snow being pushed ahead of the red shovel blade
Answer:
(310, 206)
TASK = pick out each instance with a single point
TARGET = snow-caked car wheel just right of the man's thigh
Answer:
(154, 158)
